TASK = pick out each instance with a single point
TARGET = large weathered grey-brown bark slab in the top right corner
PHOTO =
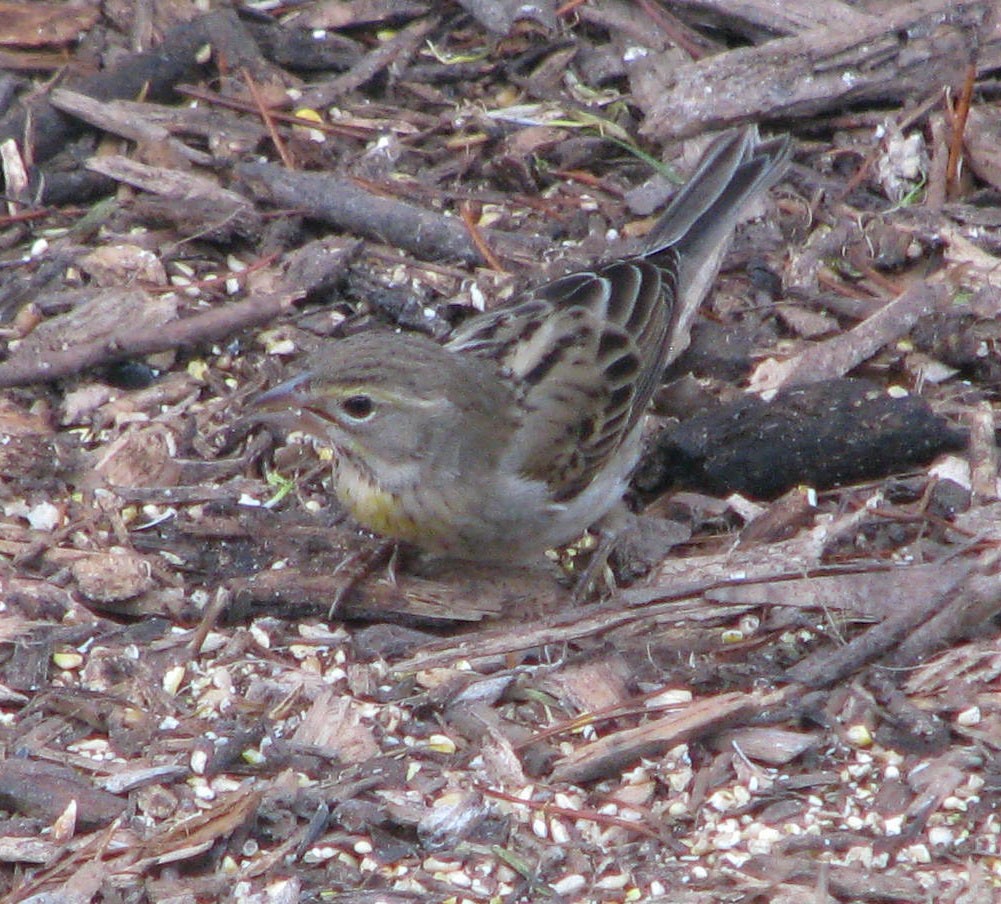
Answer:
(915, 49)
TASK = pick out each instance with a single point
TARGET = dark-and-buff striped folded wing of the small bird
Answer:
(586, 353)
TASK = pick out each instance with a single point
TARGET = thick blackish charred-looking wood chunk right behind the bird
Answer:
(822, 435)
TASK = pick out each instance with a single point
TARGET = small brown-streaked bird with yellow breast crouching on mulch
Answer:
(520, 430)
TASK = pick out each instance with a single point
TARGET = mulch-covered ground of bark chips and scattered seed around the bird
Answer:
(793, 690)
